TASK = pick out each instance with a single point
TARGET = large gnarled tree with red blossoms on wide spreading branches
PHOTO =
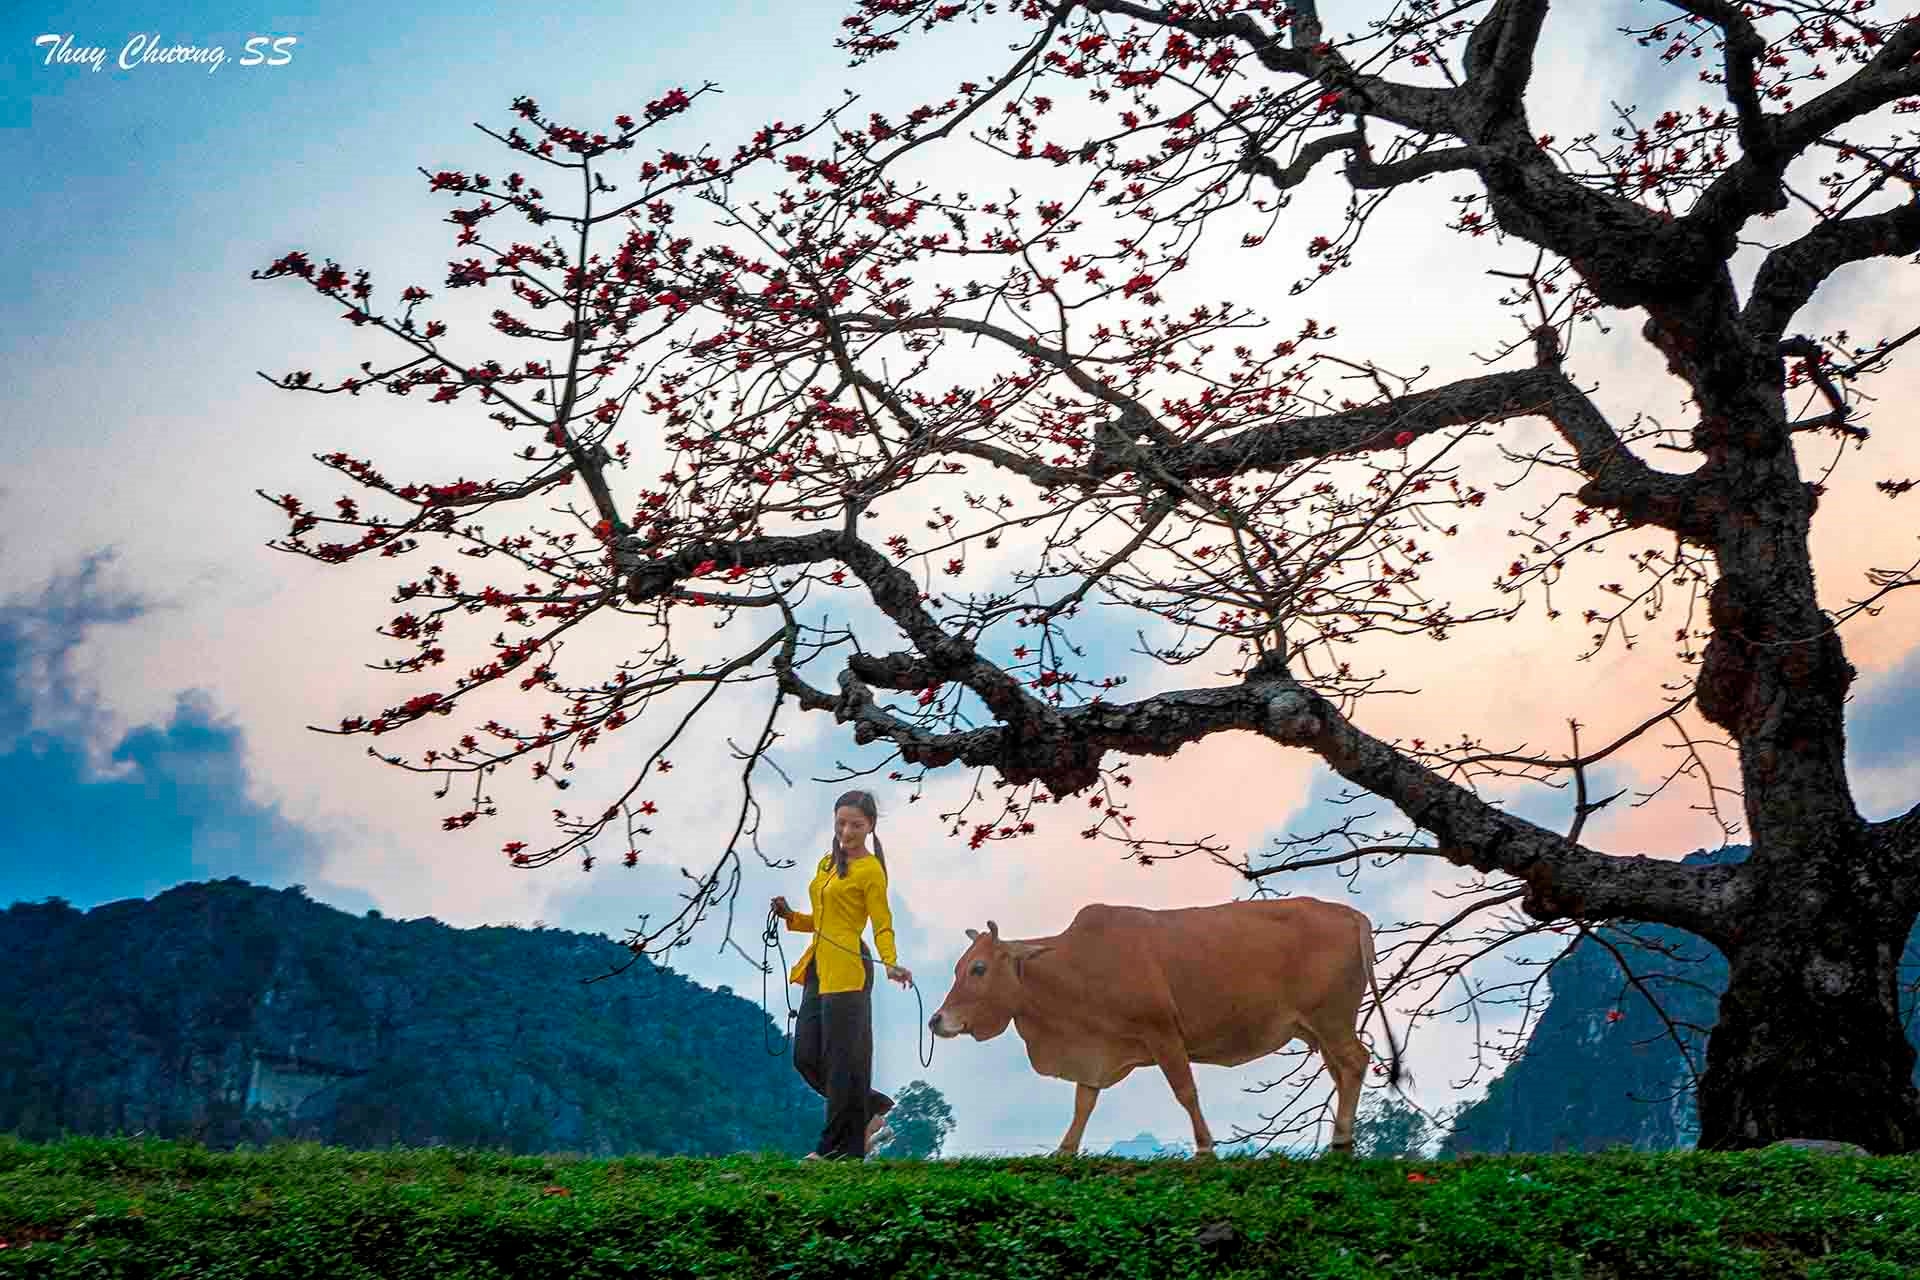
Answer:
(853, 437)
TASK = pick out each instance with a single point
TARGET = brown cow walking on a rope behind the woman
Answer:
(1130, 987)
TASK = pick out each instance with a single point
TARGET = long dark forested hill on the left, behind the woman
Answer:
(231, 1014)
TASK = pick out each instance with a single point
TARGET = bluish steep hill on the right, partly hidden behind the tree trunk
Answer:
(1587, 1083)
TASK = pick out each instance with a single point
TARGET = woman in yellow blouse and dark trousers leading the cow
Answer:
(834, 1039)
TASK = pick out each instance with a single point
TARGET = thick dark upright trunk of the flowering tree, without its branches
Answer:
(1810, 1041)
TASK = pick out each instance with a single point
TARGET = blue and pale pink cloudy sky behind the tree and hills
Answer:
(160, 665)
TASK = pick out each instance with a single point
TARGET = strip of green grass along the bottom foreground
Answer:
(114, 1208)
